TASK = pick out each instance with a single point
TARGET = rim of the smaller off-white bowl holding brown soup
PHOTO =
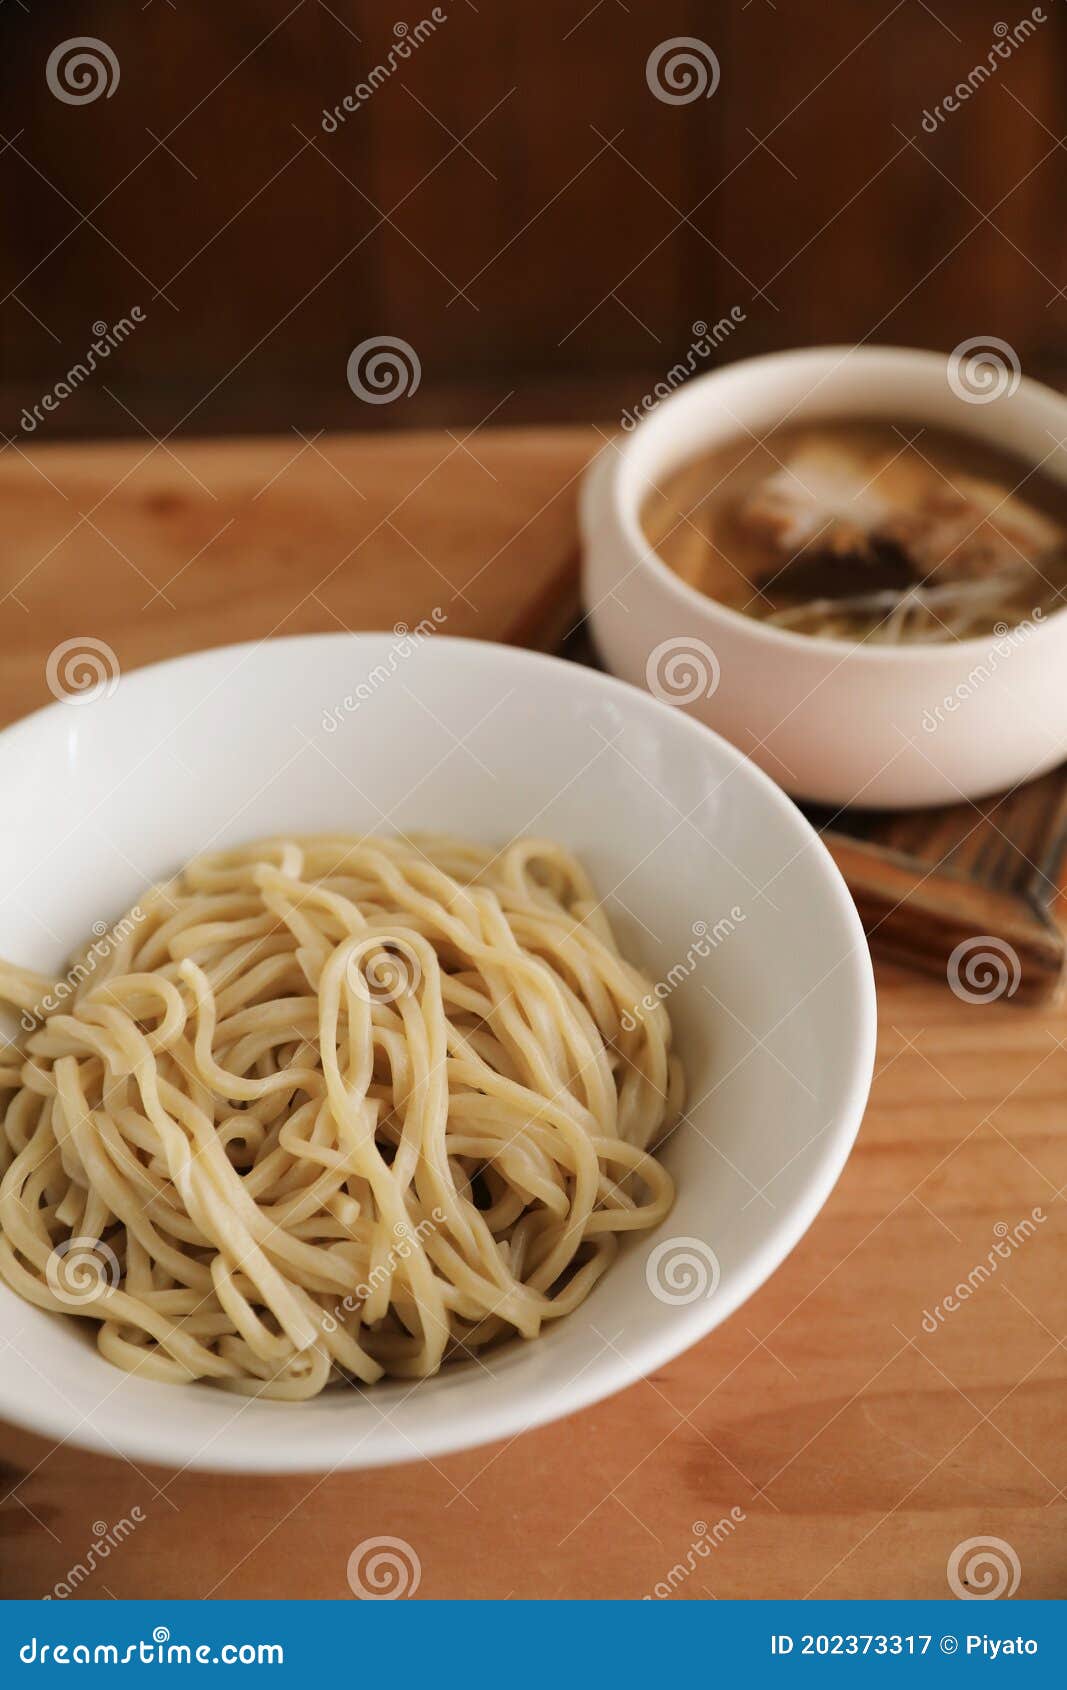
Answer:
(627, 513)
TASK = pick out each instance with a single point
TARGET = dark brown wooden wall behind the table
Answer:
(513, 202)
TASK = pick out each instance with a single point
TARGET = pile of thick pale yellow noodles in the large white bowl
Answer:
(332, 1109)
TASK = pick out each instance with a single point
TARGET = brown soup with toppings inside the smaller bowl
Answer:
(867, 532)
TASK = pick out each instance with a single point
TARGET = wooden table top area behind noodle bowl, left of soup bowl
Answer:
(158, 552)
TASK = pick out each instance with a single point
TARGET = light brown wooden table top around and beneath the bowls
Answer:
(860, 1447)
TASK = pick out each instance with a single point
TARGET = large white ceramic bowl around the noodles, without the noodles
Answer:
(718, 888)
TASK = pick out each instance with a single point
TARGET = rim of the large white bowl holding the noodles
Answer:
(386, 1447)
